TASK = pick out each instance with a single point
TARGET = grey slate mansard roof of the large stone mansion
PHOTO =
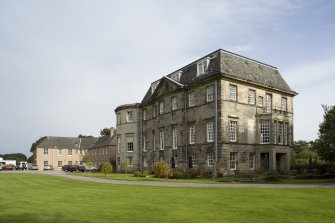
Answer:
(231, 65)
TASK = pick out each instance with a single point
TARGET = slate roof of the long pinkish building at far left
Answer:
(67, 142)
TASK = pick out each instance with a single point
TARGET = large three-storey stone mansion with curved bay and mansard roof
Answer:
(223, 113)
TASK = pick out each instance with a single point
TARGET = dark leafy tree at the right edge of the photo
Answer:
(325, 144)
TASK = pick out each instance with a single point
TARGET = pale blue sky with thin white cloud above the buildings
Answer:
(65, 65)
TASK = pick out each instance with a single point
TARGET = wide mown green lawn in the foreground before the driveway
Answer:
(40, 198)
